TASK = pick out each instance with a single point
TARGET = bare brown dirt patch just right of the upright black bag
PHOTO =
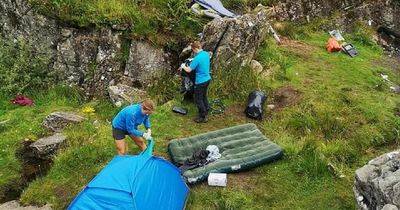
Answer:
(286, 96)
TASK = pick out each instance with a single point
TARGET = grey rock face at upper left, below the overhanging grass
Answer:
(89, 58)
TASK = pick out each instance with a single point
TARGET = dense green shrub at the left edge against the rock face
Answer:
(22, 67)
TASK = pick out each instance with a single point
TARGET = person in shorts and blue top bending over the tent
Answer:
(126, 122)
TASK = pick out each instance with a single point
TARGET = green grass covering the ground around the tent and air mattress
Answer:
(345, 118)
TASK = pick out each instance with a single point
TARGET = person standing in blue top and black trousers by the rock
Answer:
(201, 66)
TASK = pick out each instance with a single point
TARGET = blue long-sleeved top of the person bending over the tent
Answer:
(129, 118)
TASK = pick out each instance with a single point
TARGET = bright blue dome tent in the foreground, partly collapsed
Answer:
(140, 182)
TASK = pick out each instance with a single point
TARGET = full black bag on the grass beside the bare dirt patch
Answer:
(255, 104)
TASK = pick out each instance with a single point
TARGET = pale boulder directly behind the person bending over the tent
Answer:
(123, 94)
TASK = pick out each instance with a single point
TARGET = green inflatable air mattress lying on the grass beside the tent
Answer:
(242, 147)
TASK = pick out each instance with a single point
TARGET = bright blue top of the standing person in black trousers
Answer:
(201, 66)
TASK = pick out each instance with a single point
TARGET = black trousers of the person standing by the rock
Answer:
(200, 98)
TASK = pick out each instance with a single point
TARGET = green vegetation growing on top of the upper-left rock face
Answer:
(160, 21)
